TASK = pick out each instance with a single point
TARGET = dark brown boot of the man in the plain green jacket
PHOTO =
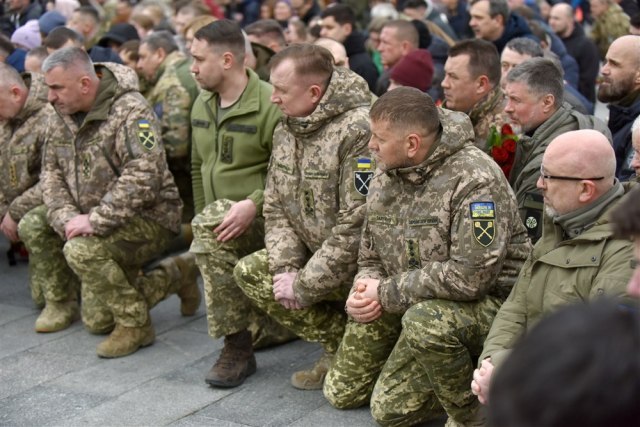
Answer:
(236, 361)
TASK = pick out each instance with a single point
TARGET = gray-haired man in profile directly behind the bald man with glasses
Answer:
(535, 92)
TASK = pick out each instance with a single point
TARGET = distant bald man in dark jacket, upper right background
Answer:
(581, 47)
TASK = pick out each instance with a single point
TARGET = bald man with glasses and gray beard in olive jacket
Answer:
(578, 257)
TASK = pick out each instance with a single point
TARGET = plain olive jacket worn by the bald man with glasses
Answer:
(560, 272)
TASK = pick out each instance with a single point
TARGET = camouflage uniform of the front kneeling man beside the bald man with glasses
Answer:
(445, 240)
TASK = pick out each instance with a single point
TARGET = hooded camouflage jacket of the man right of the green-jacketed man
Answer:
(313, 208)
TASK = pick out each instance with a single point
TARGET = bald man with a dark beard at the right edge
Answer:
(620, 87)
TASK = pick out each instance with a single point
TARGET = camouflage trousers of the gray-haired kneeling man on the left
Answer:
(108, 267)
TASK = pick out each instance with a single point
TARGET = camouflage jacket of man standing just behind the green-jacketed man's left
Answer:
(171, 97)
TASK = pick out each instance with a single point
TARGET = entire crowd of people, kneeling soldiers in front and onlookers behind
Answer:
(419, 186)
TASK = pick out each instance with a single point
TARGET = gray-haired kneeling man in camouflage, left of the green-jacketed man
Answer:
(106, 187)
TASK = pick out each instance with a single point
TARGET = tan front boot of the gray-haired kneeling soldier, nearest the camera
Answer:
(125, 340)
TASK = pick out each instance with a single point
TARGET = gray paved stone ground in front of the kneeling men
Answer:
(57, 380)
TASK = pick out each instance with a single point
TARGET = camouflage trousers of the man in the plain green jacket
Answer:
(228, 309)
